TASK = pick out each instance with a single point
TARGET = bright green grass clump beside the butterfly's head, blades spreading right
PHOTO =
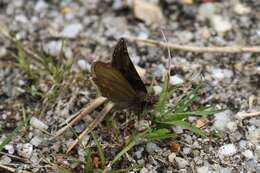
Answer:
(164, 116)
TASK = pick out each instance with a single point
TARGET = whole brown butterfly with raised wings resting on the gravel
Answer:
(120, 82)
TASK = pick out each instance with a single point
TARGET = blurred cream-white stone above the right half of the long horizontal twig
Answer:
(220, 24)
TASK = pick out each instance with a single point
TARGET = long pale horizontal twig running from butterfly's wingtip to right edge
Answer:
(227, 49)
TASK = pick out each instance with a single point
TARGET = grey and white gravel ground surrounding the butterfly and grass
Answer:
(90, 30)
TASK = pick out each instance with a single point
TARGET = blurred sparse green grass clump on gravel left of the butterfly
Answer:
(51, 70)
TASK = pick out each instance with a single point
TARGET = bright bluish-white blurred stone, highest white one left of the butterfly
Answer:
(72, 30)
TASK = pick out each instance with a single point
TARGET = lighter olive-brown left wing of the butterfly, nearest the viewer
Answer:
(113, 85)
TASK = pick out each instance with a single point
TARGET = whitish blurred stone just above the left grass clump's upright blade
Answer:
(53, 48)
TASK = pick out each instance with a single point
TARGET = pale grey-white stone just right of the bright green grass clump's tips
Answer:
(222, 119)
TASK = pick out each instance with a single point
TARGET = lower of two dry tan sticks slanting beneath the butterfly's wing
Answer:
(93, 125)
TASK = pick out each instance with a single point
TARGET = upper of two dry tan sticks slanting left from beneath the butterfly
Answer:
(86, 110)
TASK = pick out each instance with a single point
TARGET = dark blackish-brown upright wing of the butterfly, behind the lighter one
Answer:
(122, 62)
